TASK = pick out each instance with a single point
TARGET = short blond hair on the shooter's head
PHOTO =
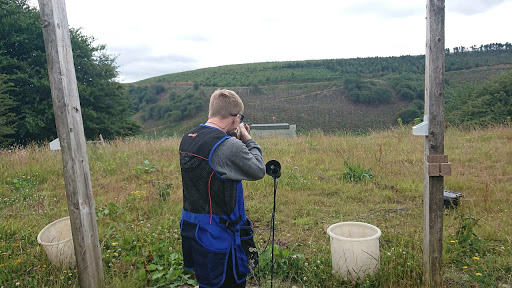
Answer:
(225, 102)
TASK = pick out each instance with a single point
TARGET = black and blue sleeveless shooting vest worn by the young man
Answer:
(213, 224)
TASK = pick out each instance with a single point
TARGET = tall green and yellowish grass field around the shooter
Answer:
(137, 189)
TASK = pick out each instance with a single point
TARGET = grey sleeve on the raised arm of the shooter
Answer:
(236, 160)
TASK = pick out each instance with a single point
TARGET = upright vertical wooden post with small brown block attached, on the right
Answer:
(434, 144)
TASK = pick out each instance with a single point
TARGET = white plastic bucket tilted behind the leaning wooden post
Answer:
(57, 240)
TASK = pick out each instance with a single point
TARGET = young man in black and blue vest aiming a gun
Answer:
(214, 228)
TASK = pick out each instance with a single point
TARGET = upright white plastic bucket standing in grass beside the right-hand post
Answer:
(354, 249)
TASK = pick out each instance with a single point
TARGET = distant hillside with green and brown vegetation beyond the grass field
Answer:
(333, 95)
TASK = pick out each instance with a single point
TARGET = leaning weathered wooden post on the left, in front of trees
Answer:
(68, 118)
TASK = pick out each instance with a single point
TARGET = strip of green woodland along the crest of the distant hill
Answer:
(244, 75)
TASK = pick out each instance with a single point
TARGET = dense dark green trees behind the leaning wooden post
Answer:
(26, 96)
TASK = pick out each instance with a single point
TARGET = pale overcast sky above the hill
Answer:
(156, 37)
